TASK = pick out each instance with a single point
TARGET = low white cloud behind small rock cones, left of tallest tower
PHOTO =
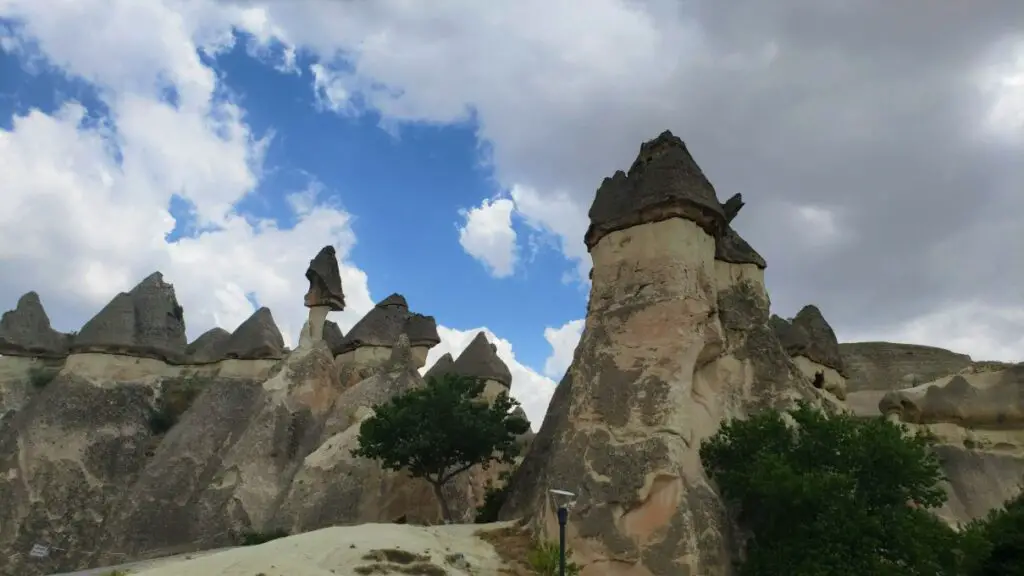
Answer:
(532, 390)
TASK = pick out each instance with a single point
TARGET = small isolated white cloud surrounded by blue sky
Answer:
(487, 235)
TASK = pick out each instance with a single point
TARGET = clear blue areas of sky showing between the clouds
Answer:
(404, 185)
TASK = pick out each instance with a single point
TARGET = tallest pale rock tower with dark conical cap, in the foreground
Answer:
(675, 342)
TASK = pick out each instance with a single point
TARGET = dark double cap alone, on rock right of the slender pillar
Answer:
(390, 319)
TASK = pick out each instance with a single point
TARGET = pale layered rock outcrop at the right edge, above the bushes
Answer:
(978, 419)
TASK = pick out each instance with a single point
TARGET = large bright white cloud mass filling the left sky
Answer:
(87, 205)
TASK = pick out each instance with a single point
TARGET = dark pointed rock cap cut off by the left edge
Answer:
(27, 332)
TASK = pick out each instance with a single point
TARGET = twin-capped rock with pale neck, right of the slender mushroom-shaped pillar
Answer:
(370, 342)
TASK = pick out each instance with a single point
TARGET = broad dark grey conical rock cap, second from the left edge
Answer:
(147, 322)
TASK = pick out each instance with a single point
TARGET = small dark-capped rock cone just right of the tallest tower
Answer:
(812, 344)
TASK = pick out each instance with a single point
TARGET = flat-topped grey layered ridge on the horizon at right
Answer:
(889, 366)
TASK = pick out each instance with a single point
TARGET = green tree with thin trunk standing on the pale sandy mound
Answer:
(442, 430)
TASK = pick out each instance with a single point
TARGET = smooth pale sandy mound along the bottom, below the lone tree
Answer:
(349, 551)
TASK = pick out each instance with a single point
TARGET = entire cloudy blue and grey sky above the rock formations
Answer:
(450, 151)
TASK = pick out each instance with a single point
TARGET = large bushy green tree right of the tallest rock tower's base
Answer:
(833, 496)
